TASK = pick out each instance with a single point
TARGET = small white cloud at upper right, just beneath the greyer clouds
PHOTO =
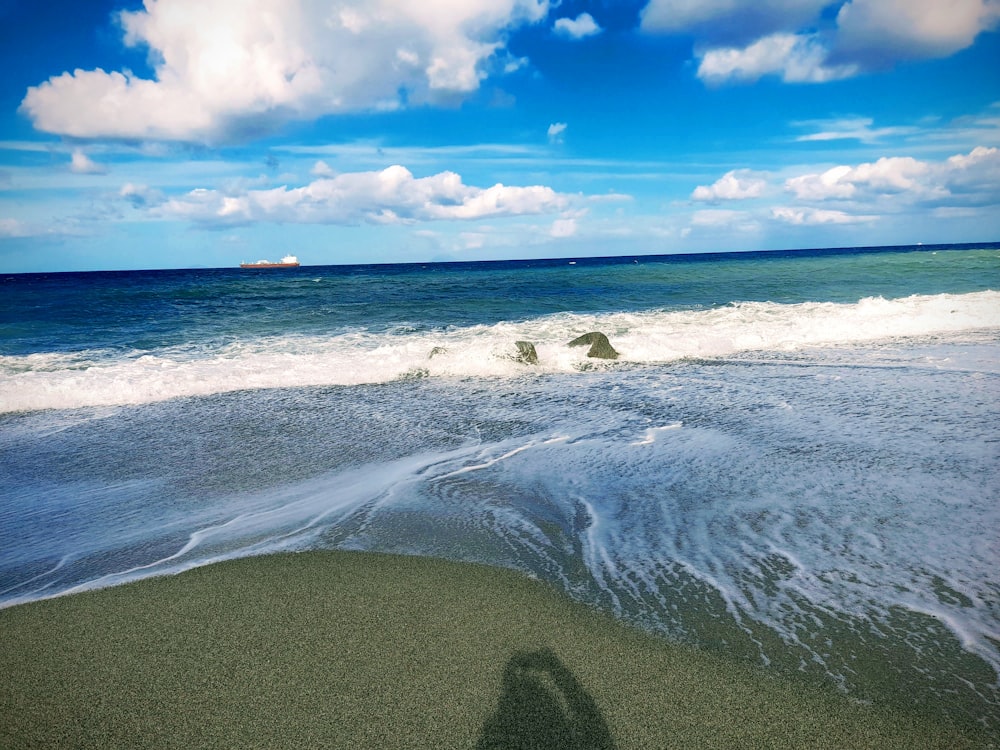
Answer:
(796, 58)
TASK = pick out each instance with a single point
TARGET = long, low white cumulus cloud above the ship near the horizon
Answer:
(390, 196)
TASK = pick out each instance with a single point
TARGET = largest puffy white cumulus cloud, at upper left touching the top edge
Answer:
(226, 69)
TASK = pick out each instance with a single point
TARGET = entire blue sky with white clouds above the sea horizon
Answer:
(203, 133)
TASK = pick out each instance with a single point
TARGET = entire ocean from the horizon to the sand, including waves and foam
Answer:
(795, 459)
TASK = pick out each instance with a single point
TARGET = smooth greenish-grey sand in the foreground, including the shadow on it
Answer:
(355, 650)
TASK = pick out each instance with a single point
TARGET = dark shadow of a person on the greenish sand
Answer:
(544, 706)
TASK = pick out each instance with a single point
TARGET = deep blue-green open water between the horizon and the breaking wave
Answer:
(149, 309)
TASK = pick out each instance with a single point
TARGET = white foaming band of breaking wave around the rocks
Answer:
(88, 378)
